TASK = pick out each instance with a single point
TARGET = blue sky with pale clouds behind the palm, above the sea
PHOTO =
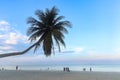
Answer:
(93, 39)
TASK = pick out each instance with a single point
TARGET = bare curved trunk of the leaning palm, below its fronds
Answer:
(17, 53)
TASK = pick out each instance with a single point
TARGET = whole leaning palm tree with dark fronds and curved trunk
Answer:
(46, 31)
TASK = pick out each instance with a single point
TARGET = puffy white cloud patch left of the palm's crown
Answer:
(10, 36)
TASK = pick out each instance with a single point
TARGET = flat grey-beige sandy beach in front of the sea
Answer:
(58, 75)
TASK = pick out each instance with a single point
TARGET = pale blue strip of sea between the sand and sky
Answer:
(100, 68)
